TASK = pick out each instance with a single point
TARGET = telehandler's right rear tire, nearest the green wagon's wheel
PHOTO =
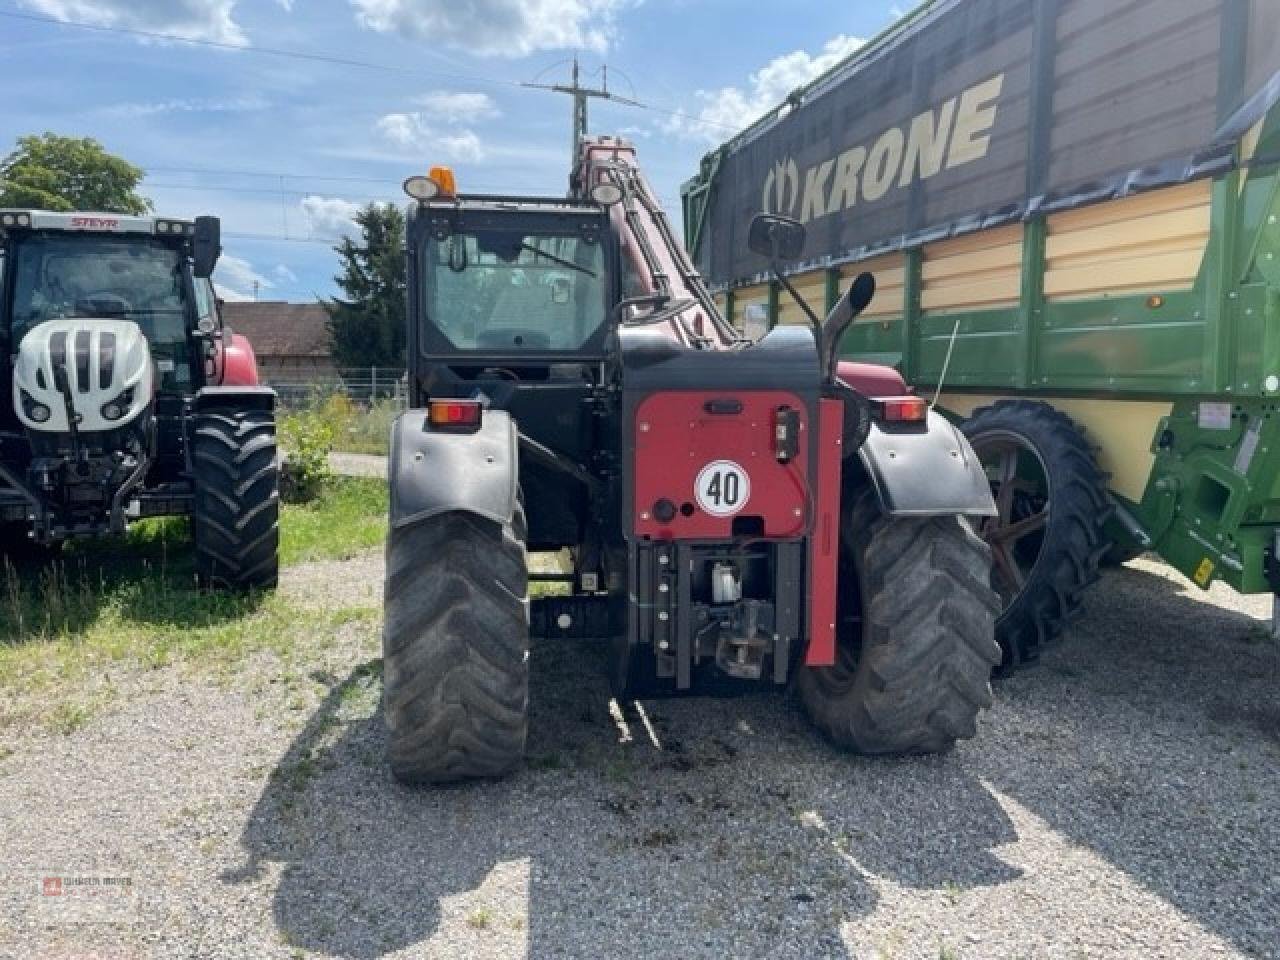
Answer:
(916, 641)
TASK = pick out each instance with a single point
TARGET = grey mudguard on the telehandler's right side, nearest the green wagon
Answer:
(926, 473)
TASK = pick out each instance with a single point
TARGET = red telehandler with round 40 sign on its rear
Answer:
(739, 513)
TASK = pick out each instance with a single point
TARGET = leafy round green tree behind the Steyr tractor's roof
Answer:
(70, 173)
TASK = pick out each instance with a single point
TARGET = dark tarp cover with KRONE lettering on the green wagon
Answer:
(982, 112)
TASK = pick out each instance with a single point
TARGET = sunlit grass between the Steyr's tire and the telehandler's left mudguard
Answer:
(349, 518)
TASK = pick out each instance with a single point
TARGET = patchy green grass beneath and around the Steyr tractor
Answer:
(121, 605)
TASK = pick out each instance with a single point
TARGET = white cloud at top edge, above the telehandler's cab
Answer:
(497, 28)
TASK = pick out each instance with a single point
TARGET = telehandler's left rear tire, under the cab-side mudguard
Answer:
(456, 648)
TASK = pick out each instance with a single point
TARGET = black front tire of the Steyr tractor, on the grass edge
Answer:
(236, 515)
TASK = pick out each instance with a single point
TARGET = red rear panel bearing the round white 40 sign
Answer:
(685, 459)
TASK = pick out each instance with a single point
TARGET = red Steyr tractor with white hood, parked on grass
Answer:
(130, 397)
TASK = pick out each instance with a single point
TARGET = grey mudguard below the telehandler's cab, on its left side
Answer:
(435, 473)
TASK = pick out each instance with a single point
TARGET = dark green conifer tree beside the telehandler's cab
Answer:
(367, 327)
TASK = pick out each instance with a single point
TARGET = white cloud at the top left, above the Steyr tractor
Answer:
(190, 20)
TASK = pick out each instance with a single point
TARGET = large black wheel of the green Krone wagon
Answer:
(1049, 540)
